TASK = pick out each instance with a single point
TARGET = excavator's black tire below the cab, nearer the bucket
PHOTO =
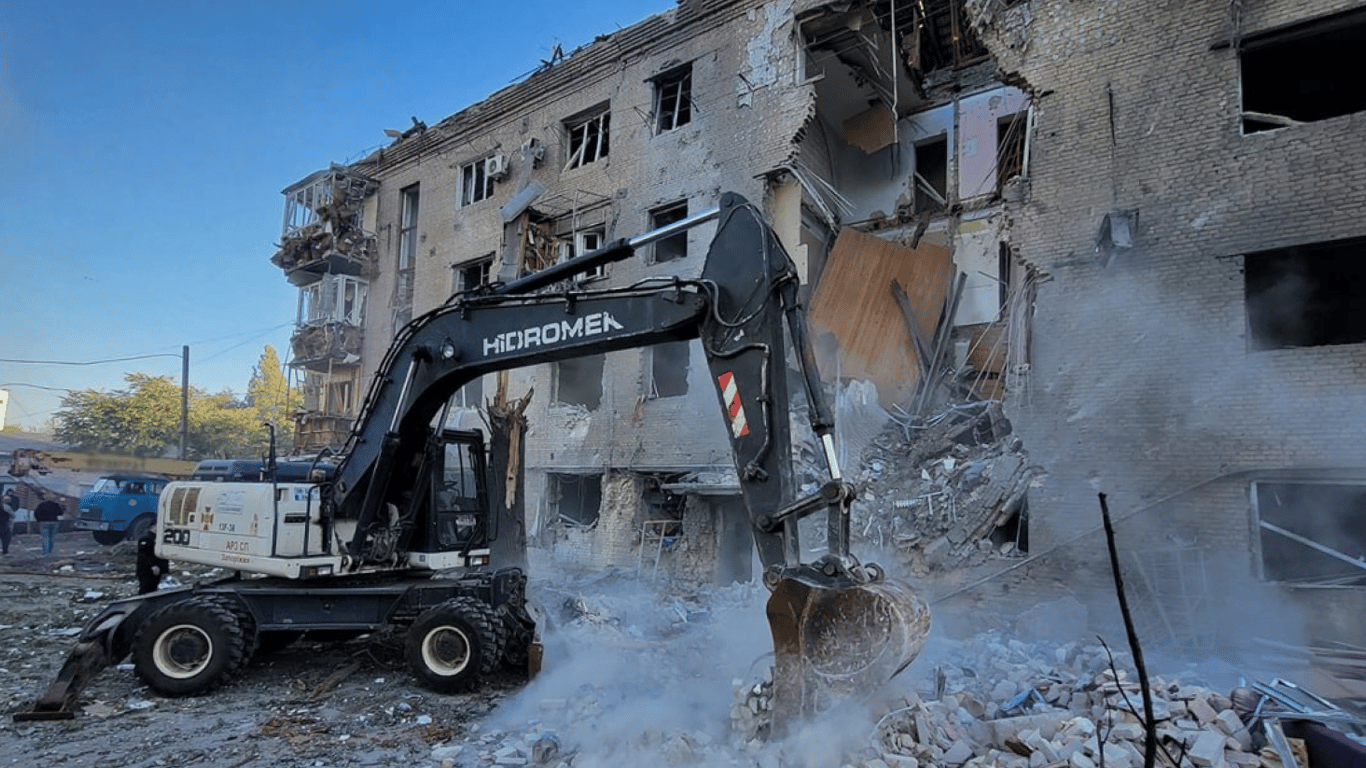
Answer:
(454, 646)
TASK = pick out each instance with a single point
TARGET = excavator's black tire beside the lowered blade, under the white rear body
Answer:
(189, 647)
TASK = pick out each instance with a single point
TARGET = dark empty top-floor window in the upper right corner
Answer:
(1304, 73)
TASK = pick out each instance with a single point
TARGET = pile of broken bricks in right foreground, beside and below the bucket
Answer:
(1006, 704)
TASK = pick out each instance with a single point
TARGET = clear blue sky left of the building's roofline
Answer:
(144, 146)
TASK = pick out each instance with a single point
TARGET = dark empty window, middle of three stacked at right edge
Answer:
(1307, 296)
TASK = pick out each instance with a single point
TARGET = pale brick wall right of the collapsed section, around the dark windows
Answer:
(1143, 383)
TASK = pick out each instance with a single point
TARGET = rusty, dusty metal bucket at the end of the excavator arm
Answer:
(839, 640)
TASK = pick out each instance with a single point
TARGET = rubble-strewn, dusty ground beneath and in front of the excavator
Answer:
(637, 674)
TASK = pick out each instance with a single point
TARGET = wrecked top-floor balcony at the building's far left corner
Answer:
(323, 232)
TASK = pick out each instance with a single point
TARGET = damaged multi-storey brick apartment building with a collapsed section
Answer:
(1125, 221)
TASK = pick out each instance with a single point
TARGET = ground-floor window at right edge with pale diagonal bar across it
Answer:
(1312, 532)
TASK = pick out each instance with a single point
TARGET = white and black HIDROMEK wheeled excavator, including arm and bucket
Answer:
(398, 532)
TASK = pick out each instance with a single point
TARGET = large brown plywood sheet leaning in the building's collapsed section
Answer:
(854, 304)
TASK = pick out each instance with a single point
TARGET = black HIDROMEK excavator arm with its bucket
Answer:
(838, 625)
